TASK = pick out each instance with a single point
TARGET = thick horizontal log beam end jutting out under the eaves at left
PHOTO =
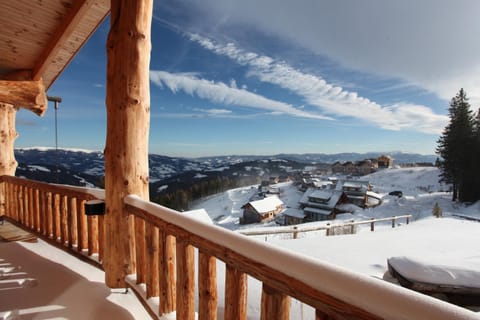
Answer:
(29, 95)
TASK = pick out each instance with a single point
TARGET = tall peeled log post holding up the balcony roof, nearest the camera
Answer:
(128, 123)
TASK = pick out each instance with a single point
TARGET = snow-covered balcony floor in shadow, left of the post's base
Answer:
(39, 281)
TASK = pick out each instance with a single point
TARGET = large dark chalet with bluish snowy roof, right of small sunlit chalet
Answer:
(321, 205)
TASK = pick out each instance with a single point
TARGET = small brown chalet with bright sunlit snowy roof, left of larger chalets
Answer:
(261, 210)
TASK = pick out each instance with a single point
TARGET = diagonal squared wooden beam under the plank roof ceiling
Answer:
(70, 22)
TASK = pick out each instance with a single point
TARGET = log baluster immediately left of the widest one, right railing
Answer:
(235, 294)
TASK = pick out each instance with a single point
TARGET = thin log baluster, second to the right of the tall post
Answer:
(152, 260)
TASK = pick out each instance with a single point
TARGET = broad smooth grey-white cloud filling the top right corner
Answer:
(432, 44)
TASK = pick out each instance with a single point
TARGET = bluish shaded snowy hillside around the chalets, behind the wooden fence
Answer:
(420, 187)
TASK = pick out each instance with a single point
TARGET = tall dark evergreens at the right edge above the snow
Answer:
(459, 150)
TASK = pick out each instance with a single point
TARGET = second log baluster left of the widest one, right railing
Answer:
(207, 287)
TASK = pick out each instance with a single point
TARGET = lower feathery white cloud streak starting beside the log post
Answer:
(220, 93)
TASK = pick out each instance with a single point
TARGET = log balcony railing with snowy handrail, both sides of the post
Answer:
(170, 248)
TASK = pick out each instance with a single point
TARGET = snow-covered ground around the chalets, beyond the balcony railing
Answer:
(448, 243)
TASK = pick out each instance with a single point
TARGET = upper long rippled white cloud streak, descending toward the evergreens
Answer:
(330, 99)
